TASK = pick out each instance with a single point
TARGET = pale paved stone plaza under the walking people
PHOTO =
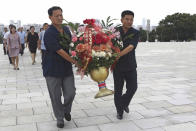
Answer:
(165, 99)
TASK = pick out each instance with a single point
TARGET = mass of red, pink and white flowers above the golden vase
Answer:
(94, 46)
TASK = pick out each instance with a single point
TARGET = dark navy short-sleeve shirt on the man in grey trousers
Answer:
(53, 64)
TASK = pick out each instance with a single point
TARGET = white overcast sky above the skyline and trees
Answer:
(35, 11)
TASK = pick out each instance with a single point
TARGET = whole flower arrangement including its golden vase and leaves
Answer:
(95, 47)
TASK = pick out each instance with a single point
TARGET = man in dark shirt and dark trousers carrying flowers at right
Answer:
(125, 69)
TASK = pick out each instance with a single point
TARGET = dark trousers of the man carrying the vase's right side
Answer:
(122, 100)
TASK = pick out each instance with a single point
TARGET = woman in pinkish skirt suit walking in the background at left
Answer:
(14, 46)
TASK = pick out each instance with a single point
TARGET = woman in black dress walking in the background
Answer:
(32, 41)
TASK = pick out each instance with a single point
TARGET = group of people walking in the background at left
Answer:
(16, 40)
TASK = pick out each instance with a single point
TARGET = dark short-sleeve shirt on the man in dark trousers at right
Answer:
(128, 61)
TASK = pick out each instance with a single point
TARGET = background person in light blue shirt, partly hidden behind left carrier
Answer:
(41, 40)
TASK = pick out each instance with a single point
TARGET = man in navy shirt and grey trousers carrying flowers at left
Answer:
(57, 68)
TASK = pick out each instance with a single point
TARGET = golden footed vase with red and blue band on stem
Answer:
(100, 75)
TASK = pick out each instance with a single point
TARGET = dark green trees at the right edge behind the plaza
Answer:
(179, 27)
